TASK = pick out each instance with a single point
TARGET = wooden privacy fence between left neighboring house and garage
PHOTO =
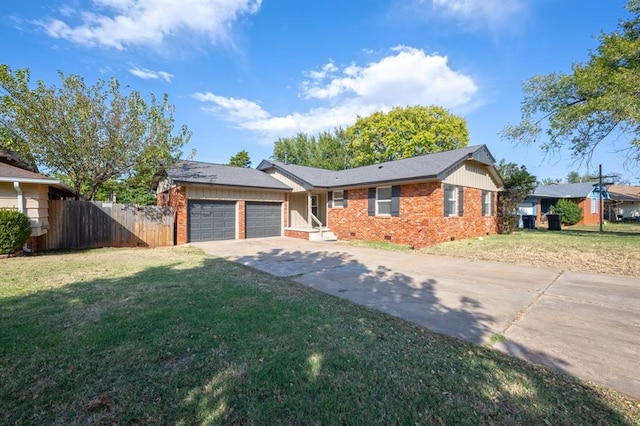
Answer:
(90, 224)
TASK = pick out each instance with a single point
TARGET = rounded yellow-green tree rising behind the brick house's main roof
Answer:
(403, 133)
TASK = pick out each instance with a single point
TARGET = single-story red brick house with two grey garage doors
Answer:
(416, 201)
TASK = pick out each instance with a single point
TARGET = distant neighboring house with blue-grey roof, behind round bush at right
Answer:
(585, 194)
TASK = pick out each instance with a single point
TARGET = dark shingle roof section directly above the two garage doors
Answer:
(186, 171)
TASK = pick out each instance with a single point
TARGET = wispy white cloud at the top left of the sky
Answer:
(120, 24)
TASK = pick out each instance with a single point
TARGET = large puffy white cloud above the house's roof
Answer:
(407, 76)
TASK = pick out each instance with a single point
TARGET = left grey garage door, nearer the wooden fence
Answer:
(211, 220)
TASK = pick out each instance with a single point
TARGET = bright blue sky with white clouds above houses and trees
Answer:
(243, 73)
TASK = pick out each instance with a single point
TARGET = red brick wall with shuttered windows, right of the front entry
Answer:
(421, 221)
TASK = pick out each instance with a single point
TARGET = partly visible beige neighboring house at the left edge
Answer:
(28, 192)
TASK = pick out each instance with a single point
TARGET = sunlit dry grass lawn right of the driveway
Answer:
(615, 251)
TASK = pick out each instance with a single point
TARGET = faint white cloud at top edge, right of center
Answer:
(494, 15)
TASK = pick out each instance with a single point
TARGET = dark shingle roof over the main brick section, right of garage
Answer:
(431, 166)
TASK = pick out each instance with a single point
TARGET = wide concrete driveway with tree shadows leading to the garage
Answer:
(586, 325)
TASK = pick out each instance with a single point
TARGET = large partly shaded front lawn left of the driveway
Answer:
(173, 336)
